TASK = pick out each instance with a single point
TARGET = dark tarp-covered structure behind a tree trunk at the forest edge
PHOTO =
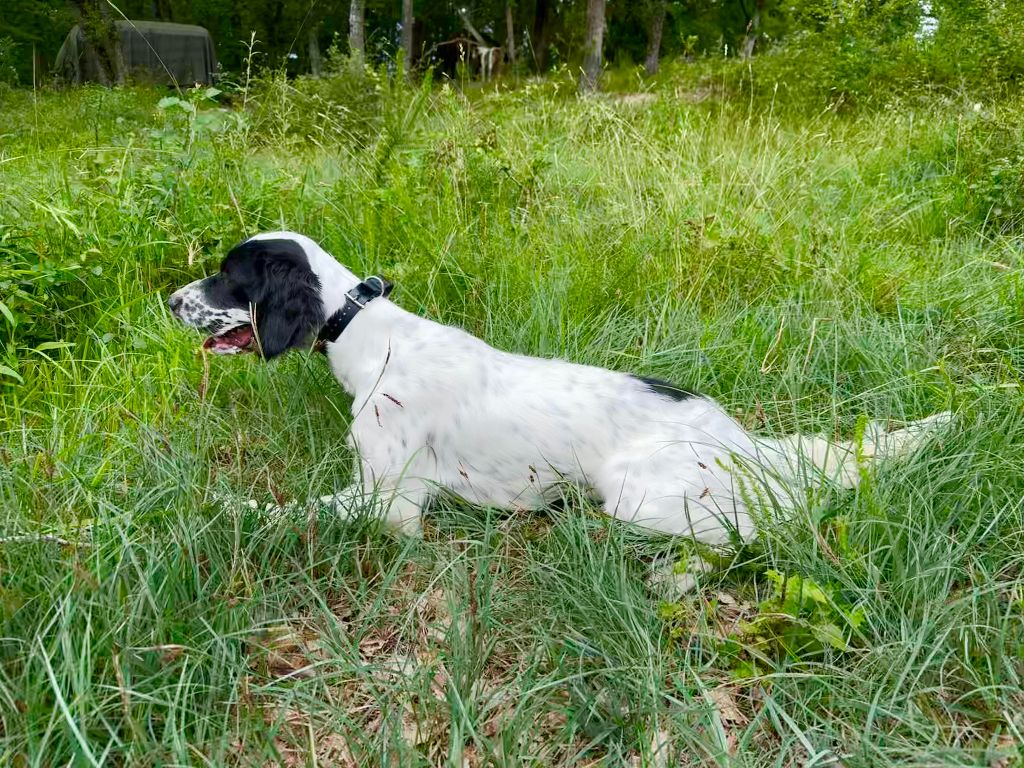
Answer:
(156, 52)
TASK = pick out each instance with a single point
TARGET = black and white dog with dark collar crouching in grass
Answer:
(437, 409)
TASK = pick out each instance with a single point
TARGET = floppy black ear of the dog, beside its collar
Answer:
(288, 307)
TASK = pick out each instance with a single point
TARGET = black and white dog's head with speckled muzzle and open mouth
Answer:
(268, 297)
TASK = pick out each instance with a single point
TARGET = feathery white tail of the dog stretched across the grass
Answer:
(814, 459)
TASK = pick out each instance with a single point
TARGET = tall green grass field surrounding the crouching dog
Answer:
(806, 272)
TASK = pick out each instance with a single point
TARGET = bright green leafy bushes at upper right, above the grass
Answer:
(861, 60)
